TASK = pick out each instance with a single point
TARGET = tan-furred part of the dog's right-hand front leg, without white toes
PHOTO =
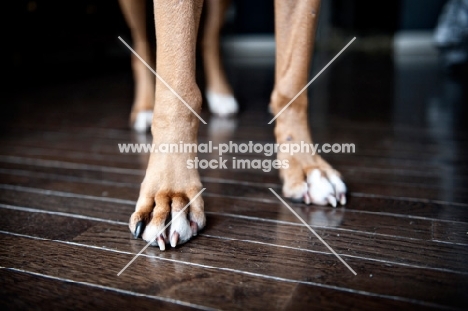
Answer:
(295, 24)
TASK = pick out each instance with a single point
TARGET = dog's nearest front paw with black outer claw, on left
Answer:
(169, 186)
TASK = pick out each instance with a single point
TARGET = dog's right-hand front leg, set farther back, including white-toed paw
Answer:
(308, 177)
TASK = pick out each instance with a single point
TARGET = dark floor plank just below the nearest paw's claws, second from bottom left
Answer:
(171, 280)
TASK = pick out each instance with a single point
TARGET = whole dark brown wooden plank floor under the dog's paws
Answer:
(66, 194)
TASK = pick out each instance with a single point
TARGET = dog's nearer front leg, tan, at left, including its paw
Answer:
(169, 184)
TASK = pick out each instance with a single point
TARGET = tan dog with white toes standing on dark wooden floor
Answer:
(169, 185)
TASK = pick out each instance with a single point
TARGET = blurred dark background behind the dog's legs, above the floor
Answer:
(51, 43)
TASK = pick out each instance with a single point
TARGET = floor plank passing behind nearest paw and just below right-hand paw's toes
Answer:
(343, 219)
